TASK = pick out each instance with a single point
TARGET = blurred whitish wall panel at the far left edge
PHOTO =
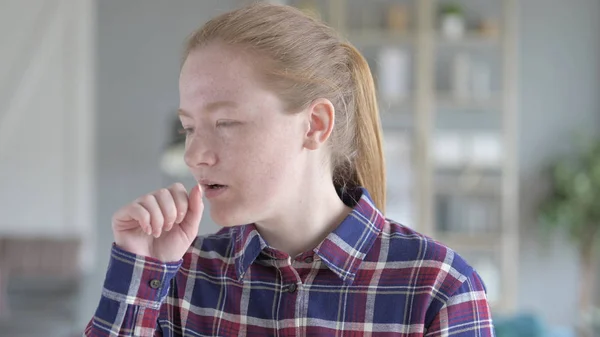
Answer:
(46, 119)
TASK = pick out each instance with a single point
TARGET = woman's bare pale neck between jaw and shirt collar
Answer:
(304, 223)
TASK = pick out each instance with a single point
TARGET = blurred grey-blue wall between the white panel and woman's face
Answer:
(139, 49)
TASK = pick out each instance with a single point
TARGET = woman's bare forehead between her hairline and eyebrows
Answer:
(216, 72)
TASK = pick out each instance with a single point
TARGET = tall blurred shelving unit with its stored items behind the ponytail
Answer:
(450, 159)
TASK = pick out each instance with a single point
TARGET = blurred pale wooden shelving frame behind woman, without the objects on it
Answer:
(421, 114)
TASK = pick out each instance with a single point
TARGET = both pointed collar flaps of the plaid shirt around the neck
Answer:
(342, 250)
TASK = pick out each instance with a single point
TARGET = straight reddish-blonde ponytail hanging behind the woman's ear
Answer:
(369, 164)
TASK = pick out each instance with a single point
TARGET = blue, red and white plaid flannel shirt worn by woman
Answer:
(369, 277)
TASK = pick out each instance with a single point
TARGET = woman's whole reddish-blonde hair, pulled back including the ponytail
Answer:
(303, 59)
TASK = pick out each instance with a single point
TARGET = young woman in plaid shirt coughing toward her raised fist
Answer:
(284, 139)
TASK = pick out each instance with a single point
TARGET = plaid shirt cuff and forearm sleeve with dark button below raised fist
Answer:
(135, 287)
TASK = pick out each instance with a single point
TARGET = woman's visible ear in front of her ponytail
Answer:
(321, 117)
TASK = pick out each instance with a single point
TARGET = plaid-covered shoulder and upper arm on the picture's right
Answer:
(448, 291)
